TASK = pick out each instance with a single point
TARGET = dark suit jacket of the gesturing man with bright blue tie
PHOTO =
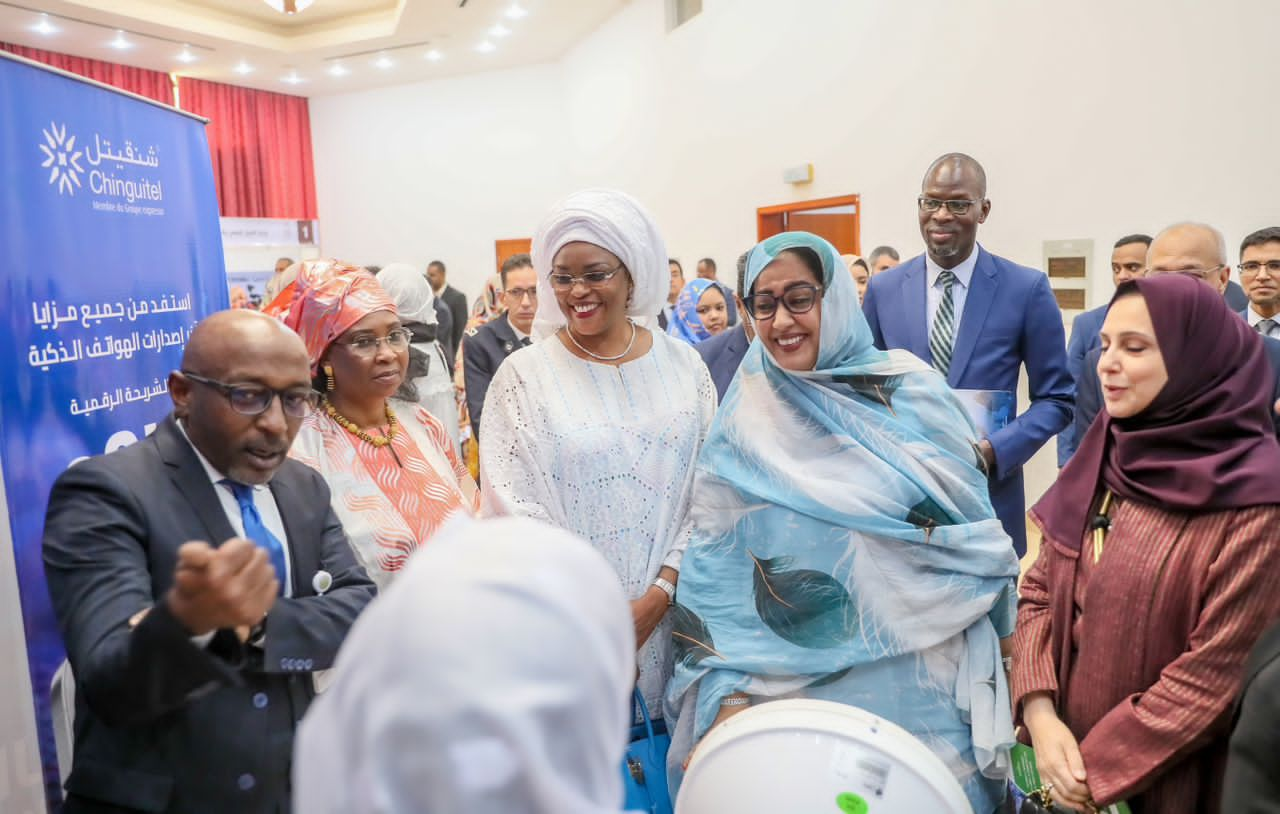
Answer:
(163, 725)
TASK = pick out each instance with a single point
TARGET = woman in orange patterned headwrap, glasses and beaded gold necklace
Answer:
(390, 464)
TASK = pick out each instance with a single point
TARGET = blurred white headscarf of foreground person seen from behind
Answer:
(493, 678)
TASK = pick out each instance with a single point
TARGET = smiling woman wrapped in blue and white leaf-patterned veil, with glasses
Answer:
(844, 546)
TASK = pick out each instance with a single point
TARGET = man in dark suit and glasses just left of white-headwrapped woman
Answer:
(490, 345)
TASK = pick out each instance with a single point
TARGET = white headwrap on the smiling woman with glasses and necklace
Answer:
(615, 222)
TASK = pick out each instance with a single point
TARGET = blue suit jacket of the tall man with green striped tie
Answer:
(1011, 318)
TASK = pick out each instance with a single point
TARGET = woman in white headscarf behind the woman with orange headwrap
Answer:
(428, 368)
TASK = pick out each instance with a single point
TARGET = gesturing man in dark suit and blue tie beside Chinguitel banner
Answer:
(200, 578)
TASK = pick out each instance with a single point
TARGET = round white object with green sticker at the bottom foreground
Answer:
(808, 756)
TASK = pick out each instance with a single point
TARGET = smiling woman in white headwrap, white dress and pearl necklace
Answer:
(596, 427)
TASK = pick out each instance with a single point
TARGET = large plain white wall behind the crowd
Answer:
(1094, 120)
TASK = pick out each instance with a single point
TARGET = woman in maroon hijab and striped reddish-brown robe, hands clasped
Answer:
(1158, 570)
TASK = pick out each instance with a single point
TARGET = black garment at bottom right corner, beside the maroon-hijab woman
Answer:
(1252, 784)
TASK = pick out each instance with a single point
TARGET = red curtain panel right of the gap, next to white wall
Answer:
(262, 149)
